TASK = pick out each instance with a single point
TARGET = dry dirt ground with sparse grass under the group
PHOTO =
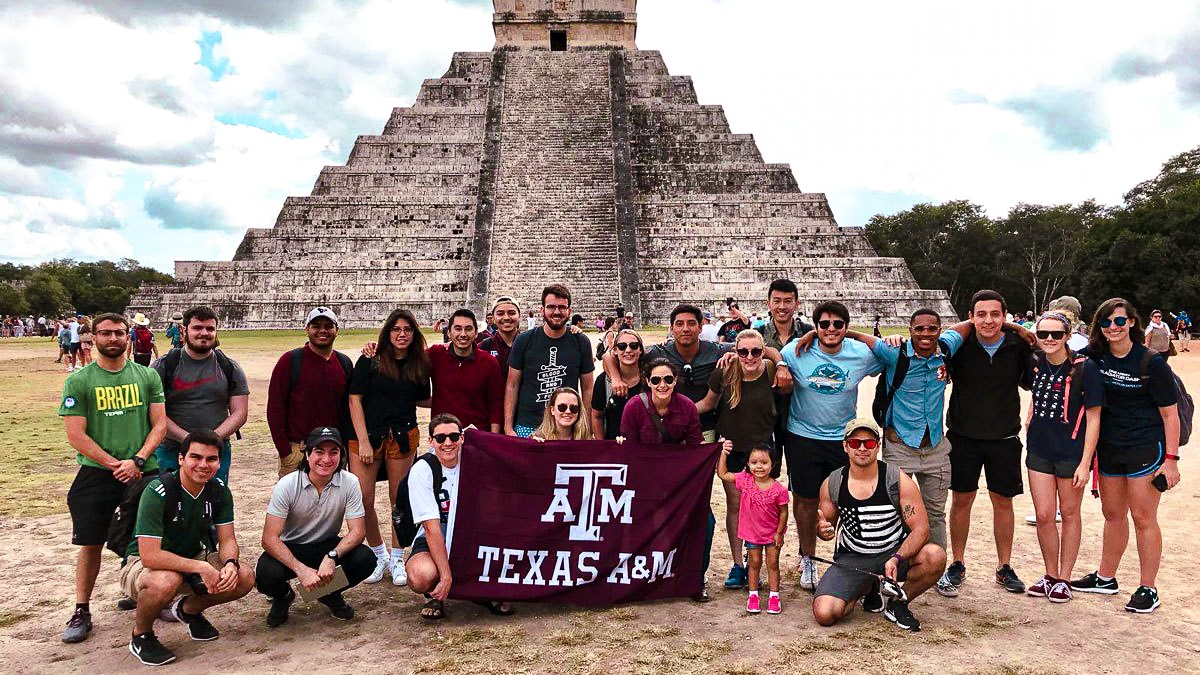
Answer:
(982, 631)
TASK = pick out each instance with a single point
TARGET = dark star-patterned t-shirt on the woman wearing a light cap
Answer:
(1057, 432)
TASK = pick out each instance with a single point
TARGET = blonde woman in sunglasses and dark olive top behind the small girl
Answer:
(743, 397)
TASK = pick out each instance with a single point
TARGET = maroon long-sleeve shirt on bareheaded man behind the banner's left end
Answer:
(470, 389)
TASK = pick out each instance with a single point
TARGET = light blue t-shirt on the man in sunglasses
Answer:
(825, 396)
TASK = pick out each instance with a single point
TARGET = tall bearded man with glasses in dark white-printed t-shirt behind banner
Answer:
(545, 360)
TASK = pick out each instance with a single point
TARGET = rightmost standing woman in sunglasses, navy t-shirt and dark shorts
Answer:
(1138, 451)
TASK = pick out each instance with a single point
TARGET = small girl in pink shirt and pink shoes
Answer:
(763, 519)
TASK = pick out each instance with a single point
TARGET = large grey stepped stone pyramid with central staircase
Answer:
(568, 156)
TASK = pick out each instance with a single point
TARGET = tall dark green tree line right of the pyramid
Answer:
(1147, 250)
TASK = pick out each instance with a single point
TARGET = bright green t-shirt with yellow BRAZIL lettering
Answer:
(117, 407)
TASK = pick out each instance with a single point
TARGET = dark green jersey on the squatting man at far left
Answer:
(189, 533)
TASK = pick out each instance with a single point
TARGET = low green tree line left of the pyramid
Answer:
(57, 288)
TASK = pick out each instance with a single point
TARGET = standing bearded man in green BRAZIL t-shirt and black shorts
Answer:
(113, 451)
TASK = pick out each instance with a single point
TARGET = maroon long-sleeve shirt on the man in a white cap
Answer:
(319, 401)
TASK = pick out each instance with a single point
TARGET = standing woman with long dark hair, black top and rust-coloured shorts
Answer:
(386, 391)
